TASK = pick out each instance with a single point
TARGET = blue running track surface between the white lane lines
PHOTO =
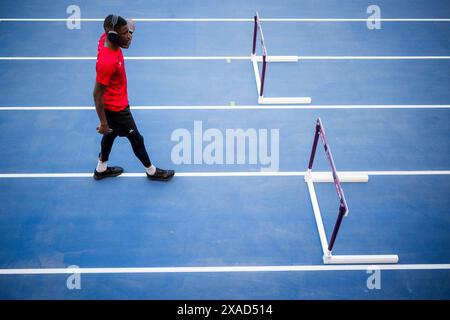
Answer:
(130, 222)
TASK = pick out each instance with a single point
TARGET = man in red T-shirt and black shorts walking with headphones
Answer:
(111, 101)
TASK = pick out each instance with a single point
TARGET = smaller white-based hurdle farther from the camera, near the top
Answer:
(264, 59)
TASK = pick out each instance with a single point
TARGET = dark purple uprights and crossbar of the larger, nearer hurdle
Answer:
(343, 208)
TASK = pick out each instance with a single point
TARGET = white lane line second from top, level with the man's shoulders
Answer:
(158, 58)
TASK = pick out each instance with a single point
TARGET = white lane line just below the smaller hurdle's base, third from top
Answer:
(243, 107)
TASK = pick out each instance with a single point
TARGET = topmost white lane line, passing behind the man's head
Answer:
(232, 19)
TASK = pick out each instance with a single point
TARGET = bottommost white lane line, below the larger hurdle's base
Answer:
(295, 268)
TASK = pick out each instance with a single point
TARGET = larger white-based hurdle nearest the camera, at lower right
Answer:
(336, 178)
